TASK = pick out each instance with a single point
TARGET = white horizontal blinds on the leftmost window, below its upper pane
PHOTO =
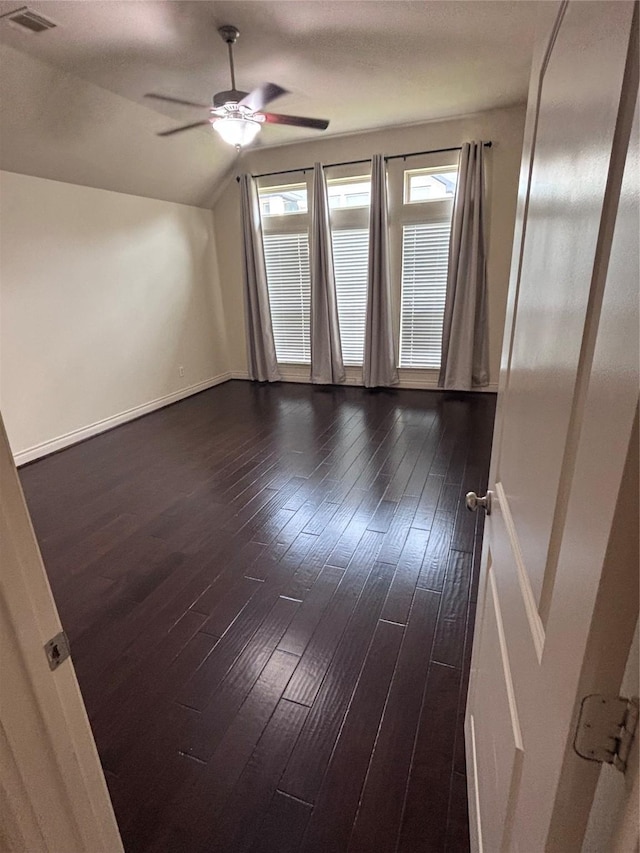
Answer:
(287, 262)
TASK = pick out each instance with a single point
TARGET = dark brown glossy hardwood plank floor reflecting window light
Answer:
(269, 593)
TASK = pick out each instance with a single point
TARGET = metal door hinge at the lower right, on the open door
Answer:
(606, 727)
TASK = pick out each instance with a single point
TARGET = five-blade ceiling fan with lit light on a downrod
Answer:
(238, 116)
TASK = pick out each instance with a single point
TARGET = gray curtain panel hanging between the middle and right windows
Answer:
(379, 368)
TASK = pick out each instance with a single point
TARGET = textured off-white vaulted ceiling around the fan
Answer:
(72, 103)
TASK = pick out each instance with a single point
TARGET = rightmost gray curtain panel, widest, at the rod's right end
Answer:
(465, 344)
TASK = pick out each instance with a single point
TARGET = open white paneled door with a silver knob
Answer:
(567, 400)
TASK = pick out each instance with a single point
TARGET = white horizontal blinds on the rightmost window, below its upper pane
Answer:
(425, 254)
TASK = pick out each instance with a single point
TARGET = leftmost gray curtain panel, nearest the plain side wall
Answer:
(261, 350)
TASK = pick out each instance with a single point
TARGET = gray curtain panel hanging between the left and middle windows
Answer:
(327, 367)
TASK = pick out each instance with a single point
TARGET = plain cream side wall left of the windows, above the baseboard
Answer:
(103, 296)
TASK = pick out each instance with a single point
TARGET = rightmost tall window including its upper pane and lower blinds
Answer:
(425, 227)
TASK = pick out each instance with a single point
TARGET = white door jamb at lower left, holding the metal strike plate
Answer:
(53, 796)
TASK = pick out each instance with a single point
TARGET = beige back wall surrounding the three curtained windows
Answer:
(504, 127)
